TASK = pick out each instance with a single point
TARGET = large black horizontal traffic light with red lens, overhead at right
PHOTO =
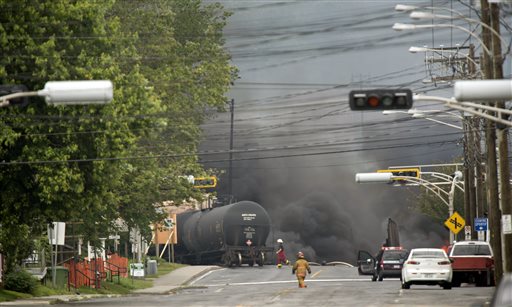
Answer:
(380, 99)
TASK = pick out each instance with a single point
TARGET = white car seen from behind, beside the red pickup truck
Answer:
(427, 266)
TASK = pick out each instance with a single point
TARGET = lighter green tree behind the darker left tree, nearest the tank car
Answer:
(180, 54)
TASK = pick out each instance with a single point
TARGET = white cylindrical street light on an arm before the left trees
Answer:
(69, 93)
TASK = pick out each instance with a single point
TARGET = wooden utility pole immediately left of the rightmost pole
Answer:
(491, 171)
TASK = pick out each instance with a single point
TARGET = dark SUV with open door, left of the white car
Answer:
(387, 263)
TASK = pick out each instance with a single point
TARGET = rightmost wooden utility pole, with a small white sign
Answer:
(506, 206)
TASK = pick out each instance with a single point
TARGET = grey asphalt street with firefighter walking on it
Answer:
(327, 286)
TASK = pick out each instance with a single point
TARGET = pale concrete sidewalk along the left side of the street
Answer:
(164, 284)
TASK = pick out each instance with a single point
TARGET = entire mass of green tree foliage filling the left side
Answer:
(96, 164)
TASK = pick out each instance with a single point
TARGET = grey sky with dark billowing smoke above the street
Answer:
(296, 144)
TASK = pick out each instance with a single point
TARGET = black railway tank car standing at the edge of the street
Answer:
(230, 235)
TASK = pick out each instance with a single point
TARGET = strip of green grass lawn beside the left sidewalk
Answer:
(125, 286)
